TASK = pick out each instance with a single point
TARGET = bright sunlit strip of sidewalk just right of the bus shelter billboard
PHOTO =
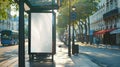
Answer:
(61, 58)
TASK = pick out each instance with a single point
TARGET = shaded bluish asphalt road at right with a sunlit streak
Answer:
(102, 56)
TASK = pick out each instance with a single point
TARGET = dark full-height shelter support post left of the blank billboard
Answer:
(21, 34)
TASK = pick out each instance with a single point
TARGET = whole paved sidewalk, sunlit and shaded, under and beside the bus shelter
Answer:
(61, 59)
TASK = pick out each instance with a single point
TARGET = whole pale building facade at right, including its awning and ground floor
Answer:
(106, 20)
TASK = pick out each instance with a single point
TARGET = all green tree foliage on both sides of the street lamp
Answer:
(84, 9)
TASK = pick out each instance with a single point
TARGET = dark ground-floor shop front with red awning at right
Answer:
(106, 37)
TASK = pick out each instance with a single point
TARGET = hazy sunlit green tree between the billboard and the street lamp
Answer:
(63, 18)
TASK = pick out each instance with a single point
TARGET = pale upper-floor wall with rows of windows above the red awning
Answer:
(97, 19)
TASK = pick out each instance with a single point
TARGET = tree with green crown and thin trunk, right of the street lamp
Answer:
(84, 9)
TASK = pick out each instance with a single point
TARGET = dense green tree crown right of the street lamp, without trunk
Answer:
(85, 8)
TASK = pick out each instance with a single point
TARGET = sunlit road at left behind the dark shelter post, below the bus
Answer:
(9, 55)
